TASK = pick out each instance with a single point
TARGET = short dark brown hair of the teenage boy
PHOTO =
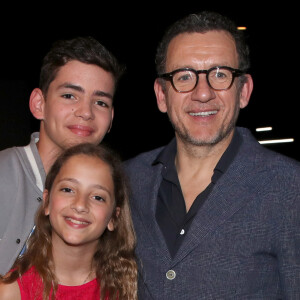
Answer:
(84, 49)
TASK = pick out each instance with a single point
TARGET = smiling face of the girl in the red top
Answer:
(81, 201)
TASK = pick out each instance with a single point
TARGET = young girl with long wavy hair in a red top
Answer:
(83, 244)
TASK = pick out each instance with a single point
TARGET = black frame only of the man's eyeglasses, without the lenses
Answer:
(169, 76)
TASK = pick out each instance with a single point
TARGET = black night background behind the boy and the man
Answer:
(132, 33)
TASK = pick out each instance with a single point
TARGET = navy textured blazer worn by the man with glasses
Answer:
(244, 242)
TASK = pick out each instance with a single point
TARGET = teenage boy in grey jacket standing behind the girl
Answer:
(75, 105)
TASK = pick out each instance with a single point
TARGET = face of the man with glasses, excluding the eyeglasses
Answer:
(203, 116)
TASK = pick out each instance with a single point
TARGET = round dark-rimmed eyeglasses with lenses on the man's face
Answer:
(186, 79)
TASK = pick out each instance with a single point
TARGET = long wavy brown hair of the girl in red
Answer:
(114, 260)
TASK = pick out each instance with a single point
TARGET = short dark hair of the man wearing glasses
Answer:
(201, 23)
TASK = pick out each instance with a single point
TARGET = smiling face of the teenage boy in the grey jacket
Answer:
(78, 106)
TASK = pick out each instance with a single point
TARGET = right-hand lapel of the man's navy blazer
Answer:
(229, 195)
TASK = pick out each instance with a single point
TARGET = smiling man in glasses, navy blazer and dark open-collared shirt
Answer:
(216, 215)
